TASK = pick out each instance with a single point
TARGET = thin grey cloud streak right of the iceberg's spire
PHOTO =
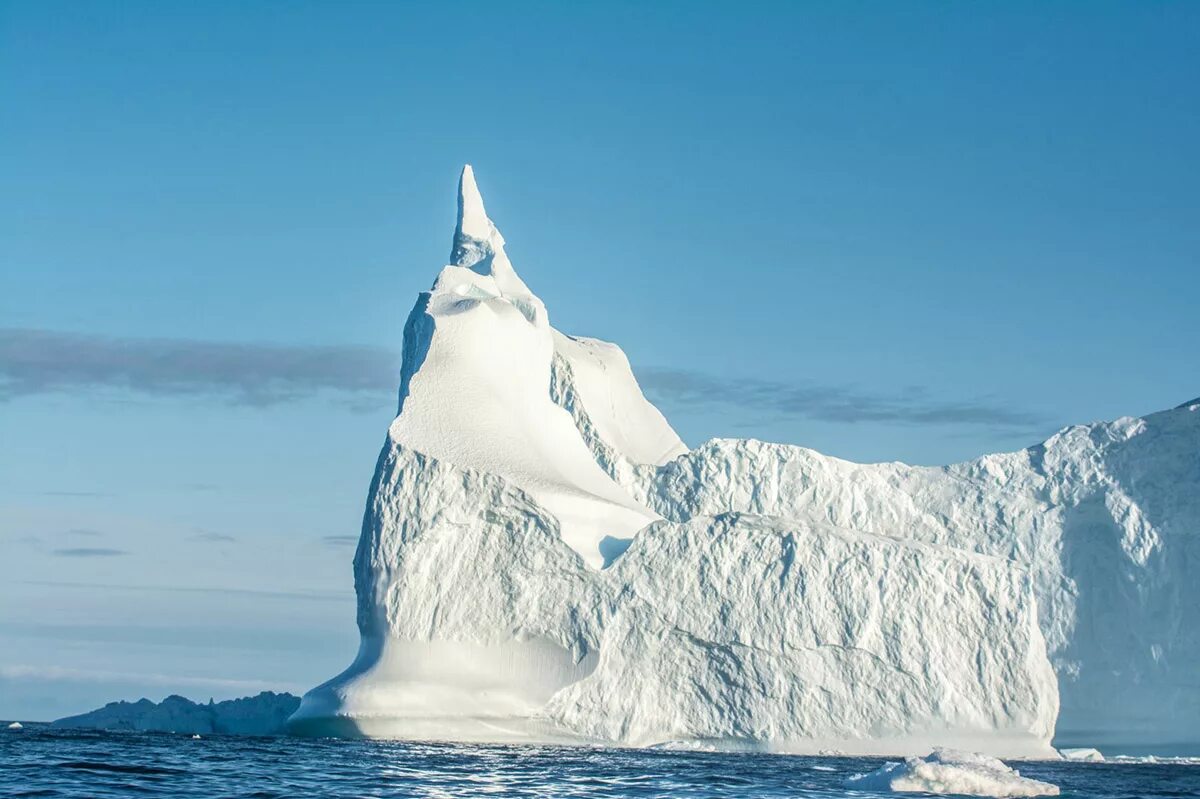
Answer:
(831, 404)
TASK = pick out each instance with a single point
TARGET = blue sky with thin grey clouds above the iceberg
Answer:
(914, 232)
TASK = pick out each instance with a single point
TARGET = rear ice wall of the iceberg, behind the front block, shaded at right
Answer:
(1106, 519)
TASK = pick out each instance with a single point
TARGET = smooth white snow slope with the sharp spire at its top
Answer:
(475, 393)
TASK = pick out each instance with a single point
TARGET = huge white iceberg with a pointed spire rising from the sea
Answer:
(543, 560)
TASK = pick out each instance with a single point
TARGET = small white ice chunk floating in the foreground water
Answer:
(952, 772)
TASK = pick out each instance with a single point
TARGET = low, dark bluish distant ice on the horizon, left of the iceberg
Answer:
(266, 714)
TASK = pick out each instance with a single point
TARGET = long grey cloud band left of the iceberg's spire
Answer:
(43, 362)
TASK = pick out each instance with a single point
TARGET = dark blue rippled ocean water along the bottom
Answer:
(43, 762)
